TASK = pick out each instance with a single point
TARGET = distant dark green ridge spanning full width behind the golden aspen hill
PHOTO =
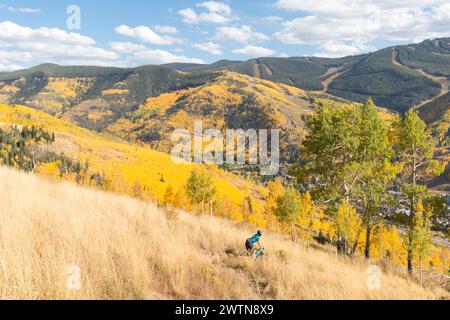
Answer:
(396, 78)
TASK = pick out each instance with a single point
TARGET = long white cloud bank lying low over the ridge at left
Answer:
(24, 47)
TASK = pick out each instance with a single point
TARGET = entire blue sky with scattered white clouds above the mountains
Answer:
(136, 32)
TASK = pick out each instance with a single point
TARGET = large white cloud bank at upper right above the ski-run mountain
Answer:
(352, 26)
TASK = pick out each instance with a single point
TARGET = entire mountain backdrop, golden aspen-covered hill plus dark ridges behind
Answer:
(144, 104)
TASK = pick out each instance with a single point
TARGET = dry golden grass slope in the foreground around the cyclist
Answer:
(128, 249)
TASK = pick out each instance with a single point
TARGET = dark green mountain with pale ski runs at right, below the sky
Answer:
(397, 78)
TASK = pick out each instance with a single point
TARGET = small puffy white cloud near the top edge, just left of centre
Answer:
(216, 12)
